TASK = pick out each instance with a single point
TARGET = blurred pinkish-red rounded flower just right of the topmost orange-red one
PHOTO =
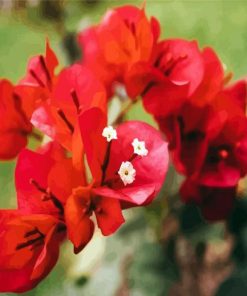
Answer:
(173, 73)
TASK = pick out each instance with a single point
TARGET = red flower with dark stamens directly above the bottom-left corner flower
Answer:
(45, 190)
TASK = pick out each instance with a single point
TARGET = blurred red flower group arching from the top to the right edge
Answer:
(189, 93)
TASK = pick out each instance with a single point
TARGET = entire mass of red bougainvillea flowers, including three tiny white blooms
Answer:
(89, 171)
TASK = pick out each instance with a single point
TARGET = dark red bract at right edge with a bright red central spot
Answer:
(225, 161)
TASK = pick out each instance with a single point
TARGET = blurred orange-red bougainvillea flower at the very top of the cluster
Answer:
(124, 37)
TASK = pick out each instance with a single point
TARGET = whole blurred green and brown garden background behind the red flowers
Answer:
(165, 249)
